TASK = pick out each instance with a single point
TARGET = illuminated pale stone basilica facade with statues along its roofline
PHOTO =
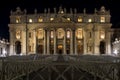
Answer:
(60, 32)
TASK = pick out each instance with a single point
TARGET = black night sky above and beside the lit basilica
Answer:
(30, 5)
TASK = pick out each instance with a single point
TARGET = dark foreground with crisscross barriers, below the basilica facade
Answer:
(60, 67)
